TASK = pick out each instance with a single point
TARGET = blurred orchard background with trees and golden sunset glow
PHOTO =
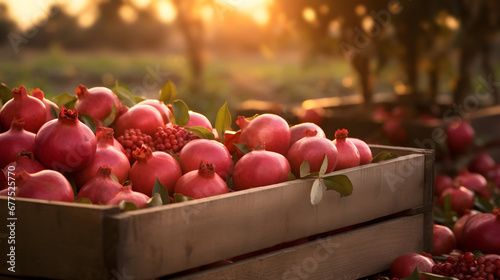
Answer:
(430, 52)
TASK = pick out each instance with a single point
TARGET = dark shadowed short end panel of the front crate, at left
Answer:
(55, 239)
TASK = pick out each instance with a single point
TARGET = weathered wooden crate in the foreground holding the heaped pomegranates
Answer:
(70, 241)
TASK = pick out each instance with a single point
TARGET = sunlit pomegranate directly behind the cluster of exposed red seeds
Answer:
(144, 117)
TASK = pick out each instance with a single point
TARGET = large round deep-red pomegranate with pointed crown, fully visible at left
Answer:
(65, 144)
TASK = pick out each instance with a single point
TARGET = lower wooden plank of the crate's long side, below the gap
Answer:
(351, 255)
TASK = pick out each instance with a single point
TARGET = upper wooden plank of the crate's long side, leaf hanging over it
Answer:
(172, 238)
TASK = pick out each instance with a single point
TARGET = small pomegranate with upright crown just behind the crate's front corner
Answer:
(101, 187)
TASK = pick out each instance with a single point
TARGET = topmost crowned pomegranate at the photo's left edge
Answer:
(25, 107)
